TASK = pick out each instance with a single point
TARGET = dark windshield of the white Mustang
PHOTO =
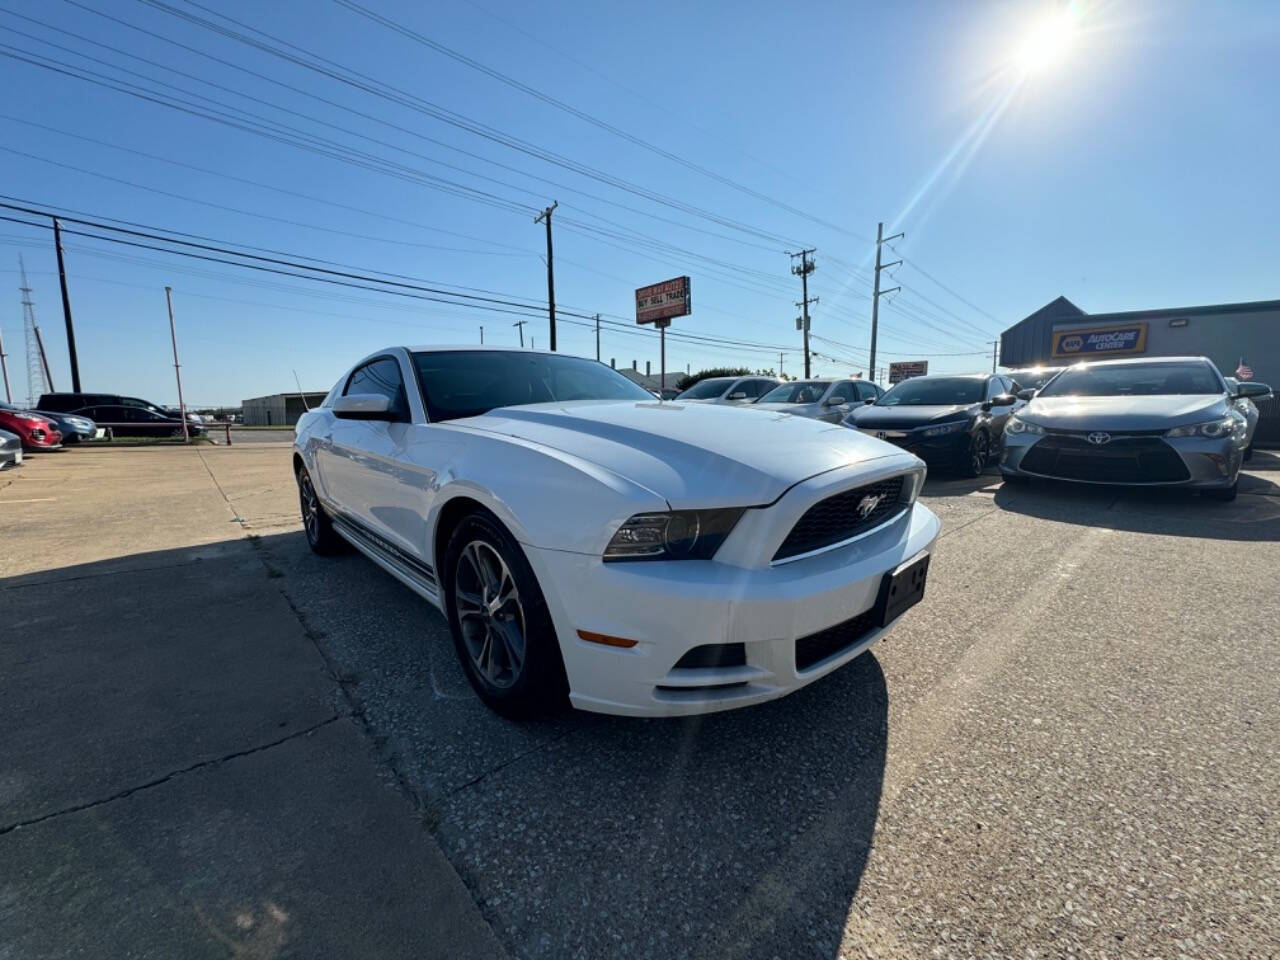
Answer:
(469, 383)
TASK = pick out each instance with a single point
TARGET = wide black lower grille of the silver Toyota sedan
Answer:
(1126, 460)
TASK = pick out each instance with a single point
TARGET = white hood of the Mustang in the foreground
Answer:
(693, 455)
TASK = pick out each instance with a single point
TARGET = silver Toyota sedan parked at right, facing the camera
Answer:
(1151, 422)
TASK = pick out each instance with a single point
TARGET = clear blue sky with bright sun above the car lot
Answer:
(1137, 171)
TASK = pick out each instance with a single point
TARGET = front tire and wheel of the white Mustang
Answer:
(502, 630)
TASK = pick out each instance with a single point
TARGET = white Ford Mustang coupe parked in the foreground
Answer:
(584, 540)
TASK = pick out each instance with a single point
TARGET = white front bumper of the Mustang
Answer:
(669, 609)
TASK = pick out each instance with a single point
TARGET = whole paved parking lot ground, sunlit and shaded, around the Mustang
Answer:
(217, 744)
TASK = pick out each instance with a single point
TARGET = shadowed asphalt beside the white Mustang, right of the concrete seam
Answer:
(742, 834)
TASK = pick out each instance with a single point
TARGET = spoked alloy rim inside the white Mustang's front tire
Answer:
(490, 614)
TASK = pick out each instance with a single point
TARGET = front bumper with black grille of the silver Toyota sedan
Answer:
(1141, 460)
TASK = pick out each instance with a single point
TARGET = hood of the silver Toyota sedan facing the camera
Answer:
(1123, 413)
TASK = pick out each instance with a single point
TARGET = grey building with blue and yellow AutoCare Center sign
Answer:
(1062, 333)
